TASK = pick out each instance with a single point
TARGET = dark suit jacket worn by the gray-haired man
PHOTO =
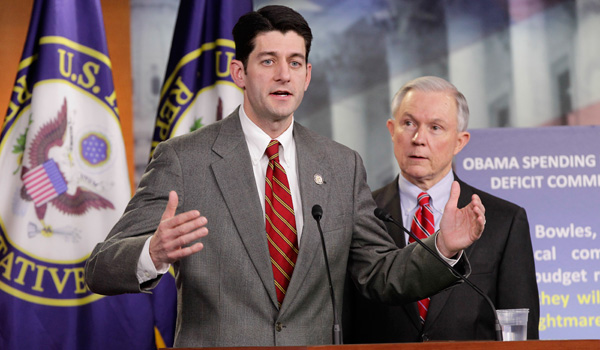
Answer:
(502, 267)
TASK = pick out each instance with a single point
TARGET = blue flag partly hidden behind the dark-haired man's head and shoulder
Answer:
(198, 88)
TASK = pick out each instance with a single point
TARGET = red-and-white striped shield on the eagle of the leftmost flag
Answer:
(44, 182)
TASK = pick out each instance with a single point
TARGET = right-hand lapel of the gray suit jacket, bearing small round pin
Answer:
(311, 160)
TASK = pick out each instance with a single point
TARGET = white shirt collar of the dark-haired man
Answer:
(258, 140)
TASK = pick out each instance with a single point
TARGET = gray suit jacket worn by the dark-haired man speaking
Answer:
(226, 293)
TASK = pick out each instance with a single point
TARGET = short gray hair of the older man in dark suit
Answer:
(435, 84)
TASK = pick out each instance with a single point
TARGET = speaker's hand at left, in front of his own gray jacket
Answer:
(169, 242)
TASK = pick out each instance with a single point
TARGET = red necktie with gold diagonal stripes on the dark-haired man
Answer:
(280, 222)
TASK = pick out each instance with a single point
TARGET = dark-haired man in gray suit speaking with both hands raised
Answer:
(227, 295)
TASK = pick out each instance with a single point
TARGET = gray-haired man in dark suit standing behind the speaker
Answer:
(428, 129)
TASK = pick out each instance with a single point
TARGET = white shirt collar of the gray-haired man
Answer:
(440, 193)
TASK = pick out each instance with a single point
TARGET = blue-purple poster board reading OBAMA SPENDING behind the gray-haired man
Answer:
(554, 173)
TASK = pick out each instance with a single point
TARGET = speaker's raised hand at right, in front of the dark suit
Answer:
(460, 227)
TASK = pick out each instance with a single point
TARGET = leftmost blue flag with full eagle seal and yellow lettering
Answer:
(64, 183)
